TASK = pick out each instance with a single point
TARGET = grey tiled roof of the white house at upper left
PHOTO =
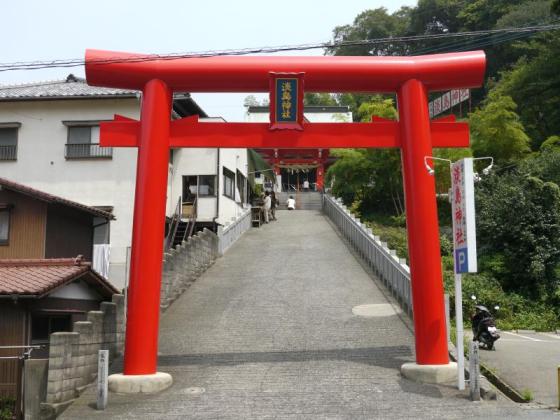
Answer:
(71, 87)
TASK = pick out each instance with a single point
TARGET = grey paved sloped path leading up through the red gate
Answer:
(268, 332)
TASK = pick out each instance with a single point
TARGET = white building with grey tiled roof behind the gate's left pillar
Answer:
(49, 135)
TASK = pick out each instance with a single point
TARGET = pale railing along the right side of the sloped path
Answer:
(391, 269)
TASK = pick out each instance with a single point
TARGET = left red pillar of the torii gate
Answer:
(142, 321)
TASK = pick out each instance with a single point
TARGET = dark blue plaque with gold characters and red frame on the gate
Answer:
(286, 101)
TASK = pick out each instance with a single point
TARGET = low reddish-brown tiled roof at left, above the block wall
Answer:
(36, 278)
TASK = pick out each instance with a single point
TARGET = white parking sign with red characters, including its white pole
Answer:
(464, 244)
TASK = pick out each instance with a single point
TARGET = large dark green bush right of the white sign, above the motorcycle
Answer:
(518, 227)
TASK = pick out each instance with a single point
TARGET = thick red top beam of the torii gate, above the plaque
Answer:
(251, 74)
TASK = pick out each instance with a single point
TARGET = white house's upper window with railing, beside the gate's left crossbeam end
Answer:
(83, 141)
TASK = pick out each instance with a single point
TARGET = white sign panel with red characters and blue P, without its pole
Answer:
(463, 214)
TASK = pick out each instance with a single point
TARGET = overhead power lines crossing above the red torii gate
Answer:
(66, 63)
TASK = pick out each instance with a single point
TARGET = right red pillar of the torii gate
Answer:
(422, 227)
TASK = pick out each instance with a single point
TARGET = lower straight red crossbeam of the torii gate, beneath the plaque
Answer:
(188, 132)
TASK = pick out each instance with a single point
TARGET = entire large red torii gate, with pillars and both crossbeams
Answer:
(410, 77)
